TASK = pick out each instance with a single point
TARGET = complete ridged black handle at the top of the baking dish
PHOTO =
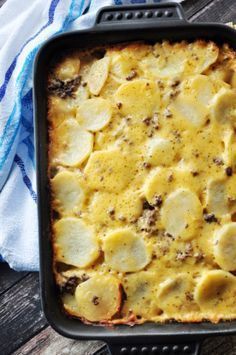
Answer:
(144, 15)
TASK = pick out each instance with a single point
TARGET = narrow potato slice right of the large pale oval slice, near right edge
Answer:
(216, 197)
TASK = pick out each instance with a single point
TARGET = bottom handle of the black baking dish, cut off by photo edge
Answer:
(151, 349)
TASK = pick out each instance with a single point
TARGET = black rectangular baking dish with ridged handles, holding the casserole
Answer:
(113, 25)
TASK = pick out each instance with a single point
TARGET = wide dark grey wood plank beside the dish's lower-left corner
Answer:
(20, 314)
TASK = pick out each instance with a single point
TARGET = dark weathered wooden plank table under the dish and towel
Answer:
(23, 328)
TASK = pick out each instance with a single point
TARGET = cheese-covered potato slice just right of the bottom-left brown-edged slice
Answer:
(140, 289)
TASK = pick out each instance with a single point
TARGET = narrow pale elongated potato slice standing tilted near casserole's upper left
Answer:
(98, 75)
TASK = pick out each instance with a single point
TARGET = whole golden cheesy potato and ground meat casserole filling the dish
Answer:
(142, 169)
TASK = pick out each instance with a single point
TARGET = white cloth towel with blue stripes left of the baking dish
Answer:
(25, 25)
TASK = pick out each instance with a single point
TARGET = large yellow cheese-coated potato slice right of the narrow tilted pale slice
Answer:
(139, 98)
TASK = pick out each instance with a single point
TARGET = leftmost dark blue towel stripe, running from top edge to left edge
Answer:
(11, 68)
